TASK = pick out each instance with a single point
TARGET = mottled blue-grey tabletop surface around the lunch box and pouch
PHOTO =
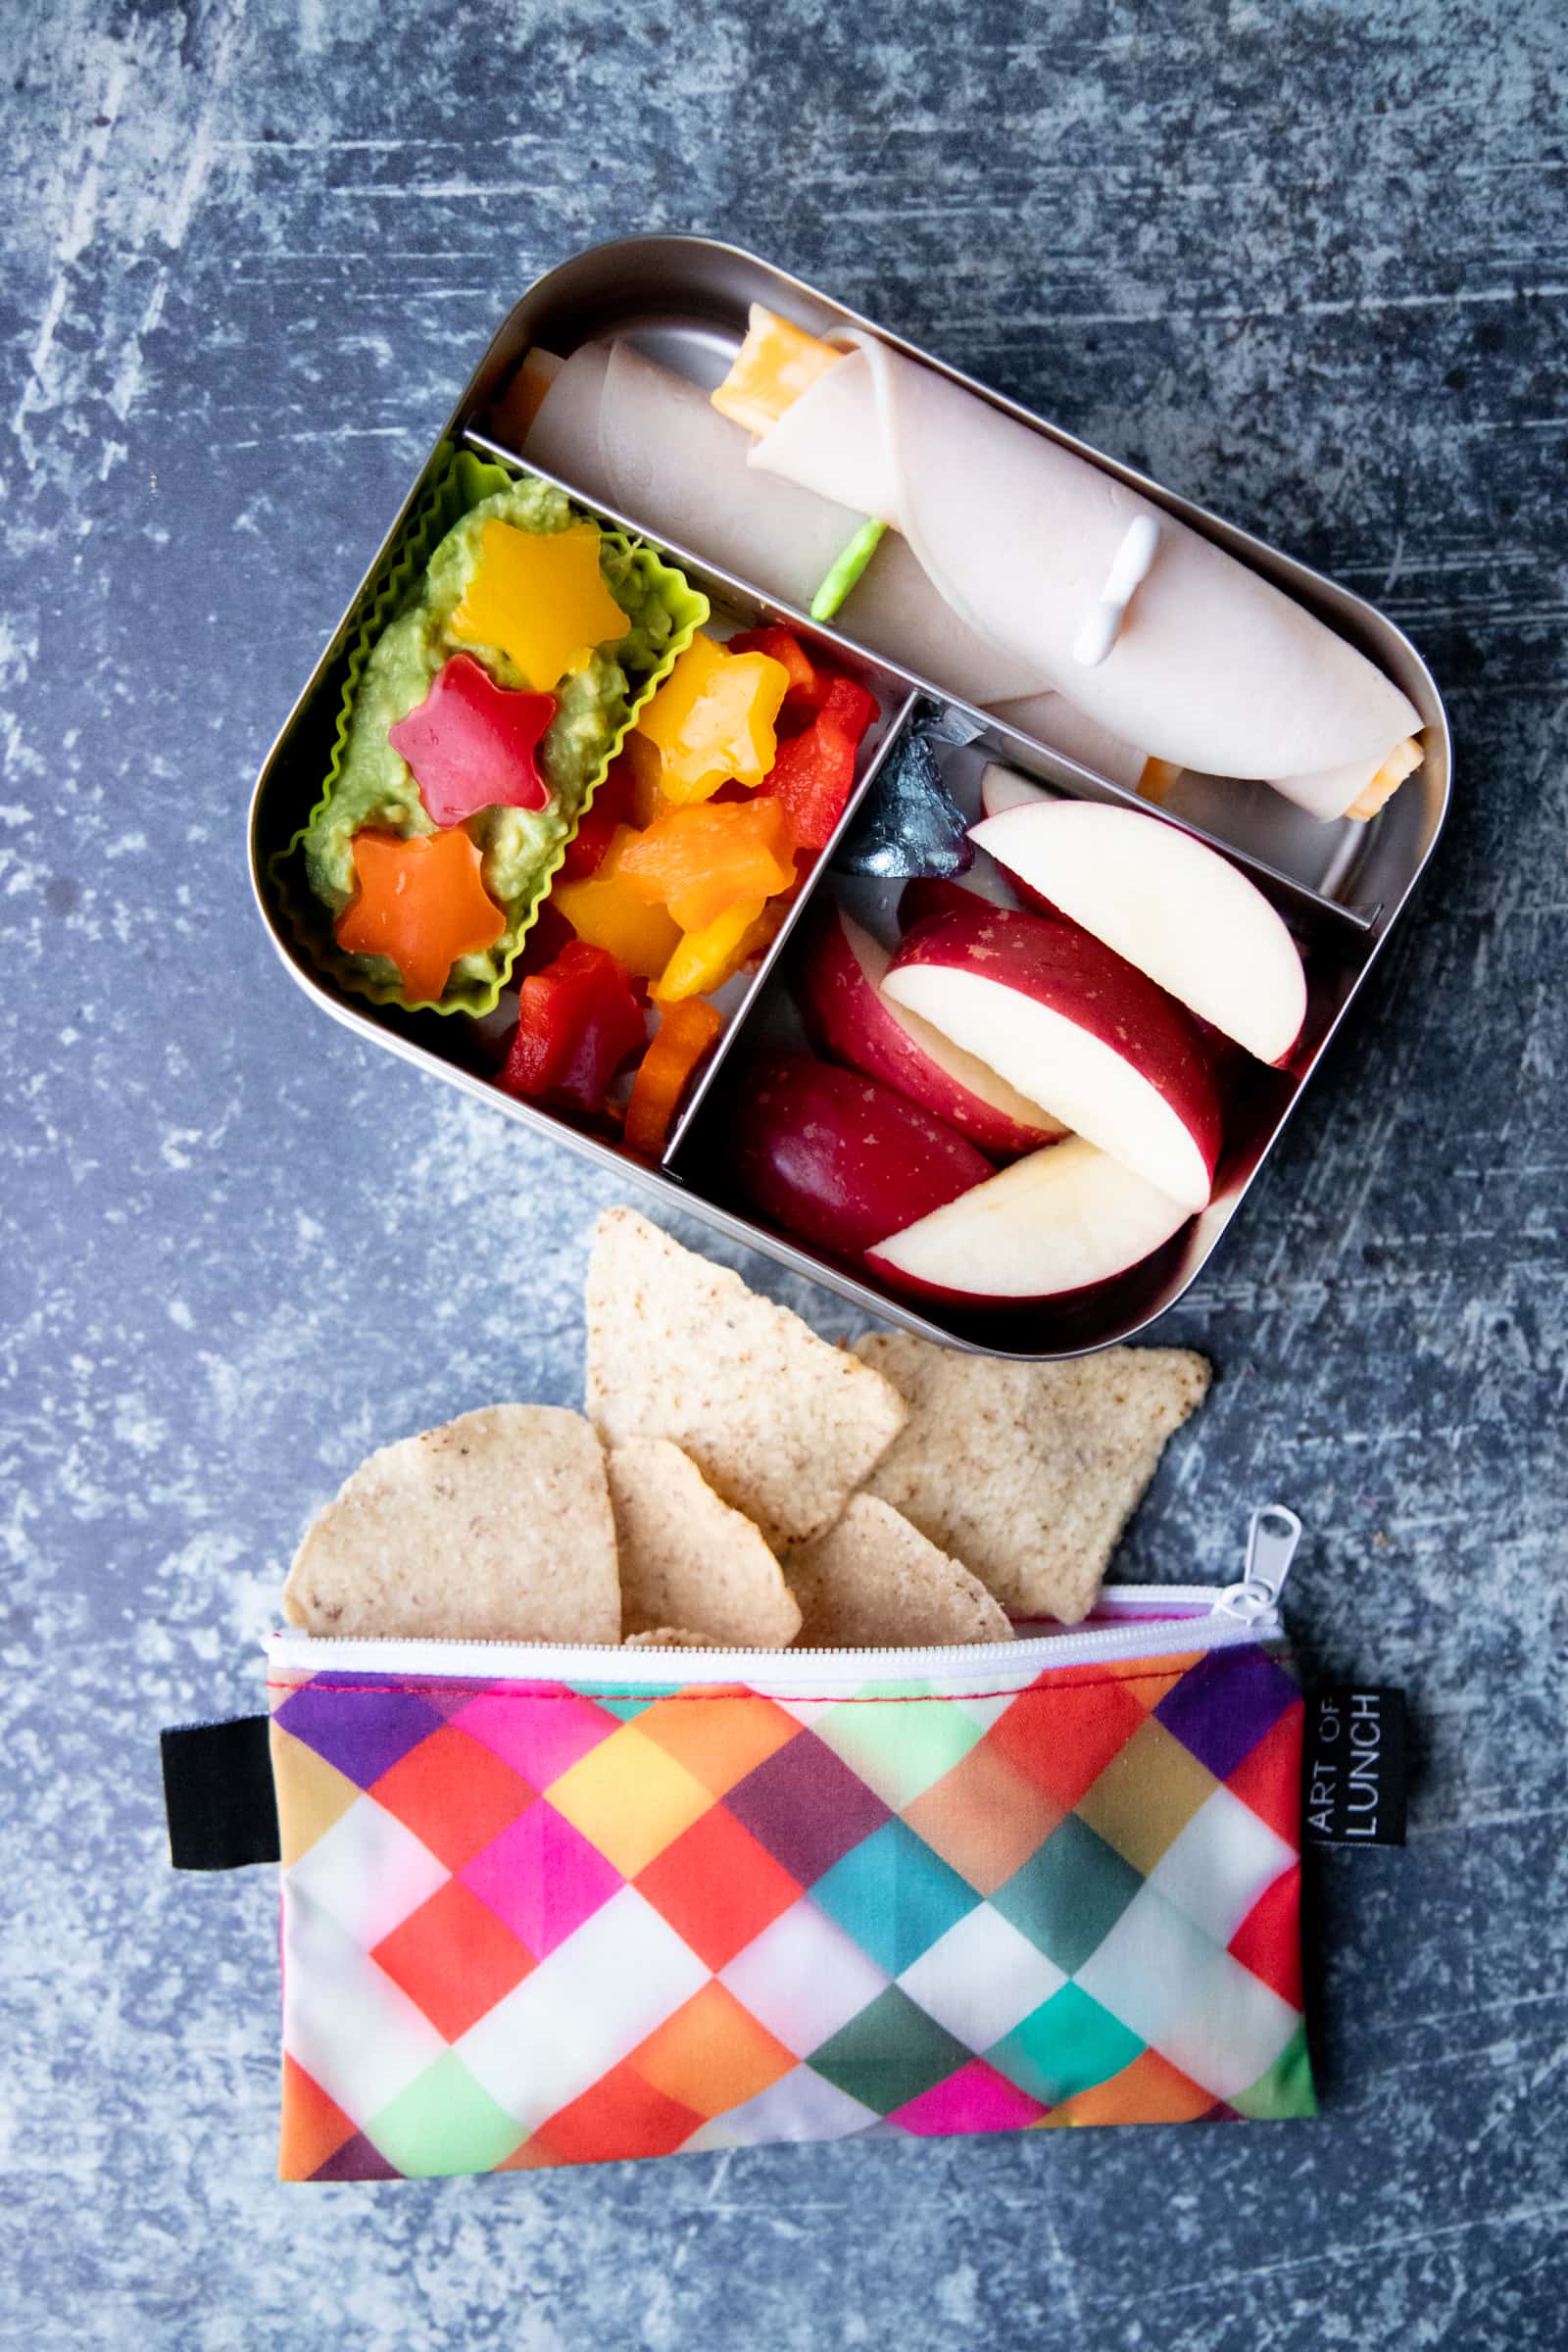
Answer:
(1308, 265)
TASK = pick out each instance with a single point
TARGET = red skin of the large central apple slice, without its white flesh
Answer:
(1076, 975)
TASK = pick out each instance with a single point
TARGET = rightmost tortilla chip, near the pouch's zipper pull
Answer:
(1028, 1474)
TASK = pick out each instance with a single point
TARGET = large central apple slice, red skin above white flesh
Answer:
(1097, 1043)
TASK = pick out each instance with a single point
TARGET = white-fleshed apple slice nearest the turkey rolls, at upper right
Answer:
(1172, 907)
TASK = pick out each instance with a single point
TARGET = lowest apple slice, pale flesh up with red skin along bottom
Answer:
(1052, 1227)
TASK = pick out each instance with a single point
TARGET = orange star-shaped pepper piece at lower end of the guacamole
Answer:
(422, 904)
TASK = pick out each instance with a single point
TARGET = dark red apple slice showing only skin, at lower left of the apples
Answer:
(838, 1161)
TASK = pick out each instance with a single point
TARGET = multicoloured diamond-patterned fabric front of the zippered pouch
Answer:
(537, 1925)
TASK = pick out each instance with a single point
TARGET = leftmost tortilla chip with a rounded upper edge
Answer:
(495, 1528)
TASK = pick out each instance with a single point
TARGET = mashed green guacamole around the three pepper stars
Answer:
(518, 846)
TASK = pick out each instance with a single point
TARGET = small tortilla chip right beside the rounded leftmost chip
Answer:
(688, 1558)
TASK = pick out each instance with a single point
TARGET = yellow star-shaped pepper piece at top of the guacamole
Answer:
(542, 601)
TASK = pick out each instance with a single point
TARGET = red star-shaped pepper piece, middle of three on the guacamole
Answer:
(471, 744)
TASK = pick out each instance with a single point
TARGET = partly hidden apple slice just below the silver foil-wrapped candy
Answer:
(836, 984)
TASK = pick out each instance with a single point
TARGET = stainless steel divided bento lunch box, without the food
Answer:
(1339, 886)
